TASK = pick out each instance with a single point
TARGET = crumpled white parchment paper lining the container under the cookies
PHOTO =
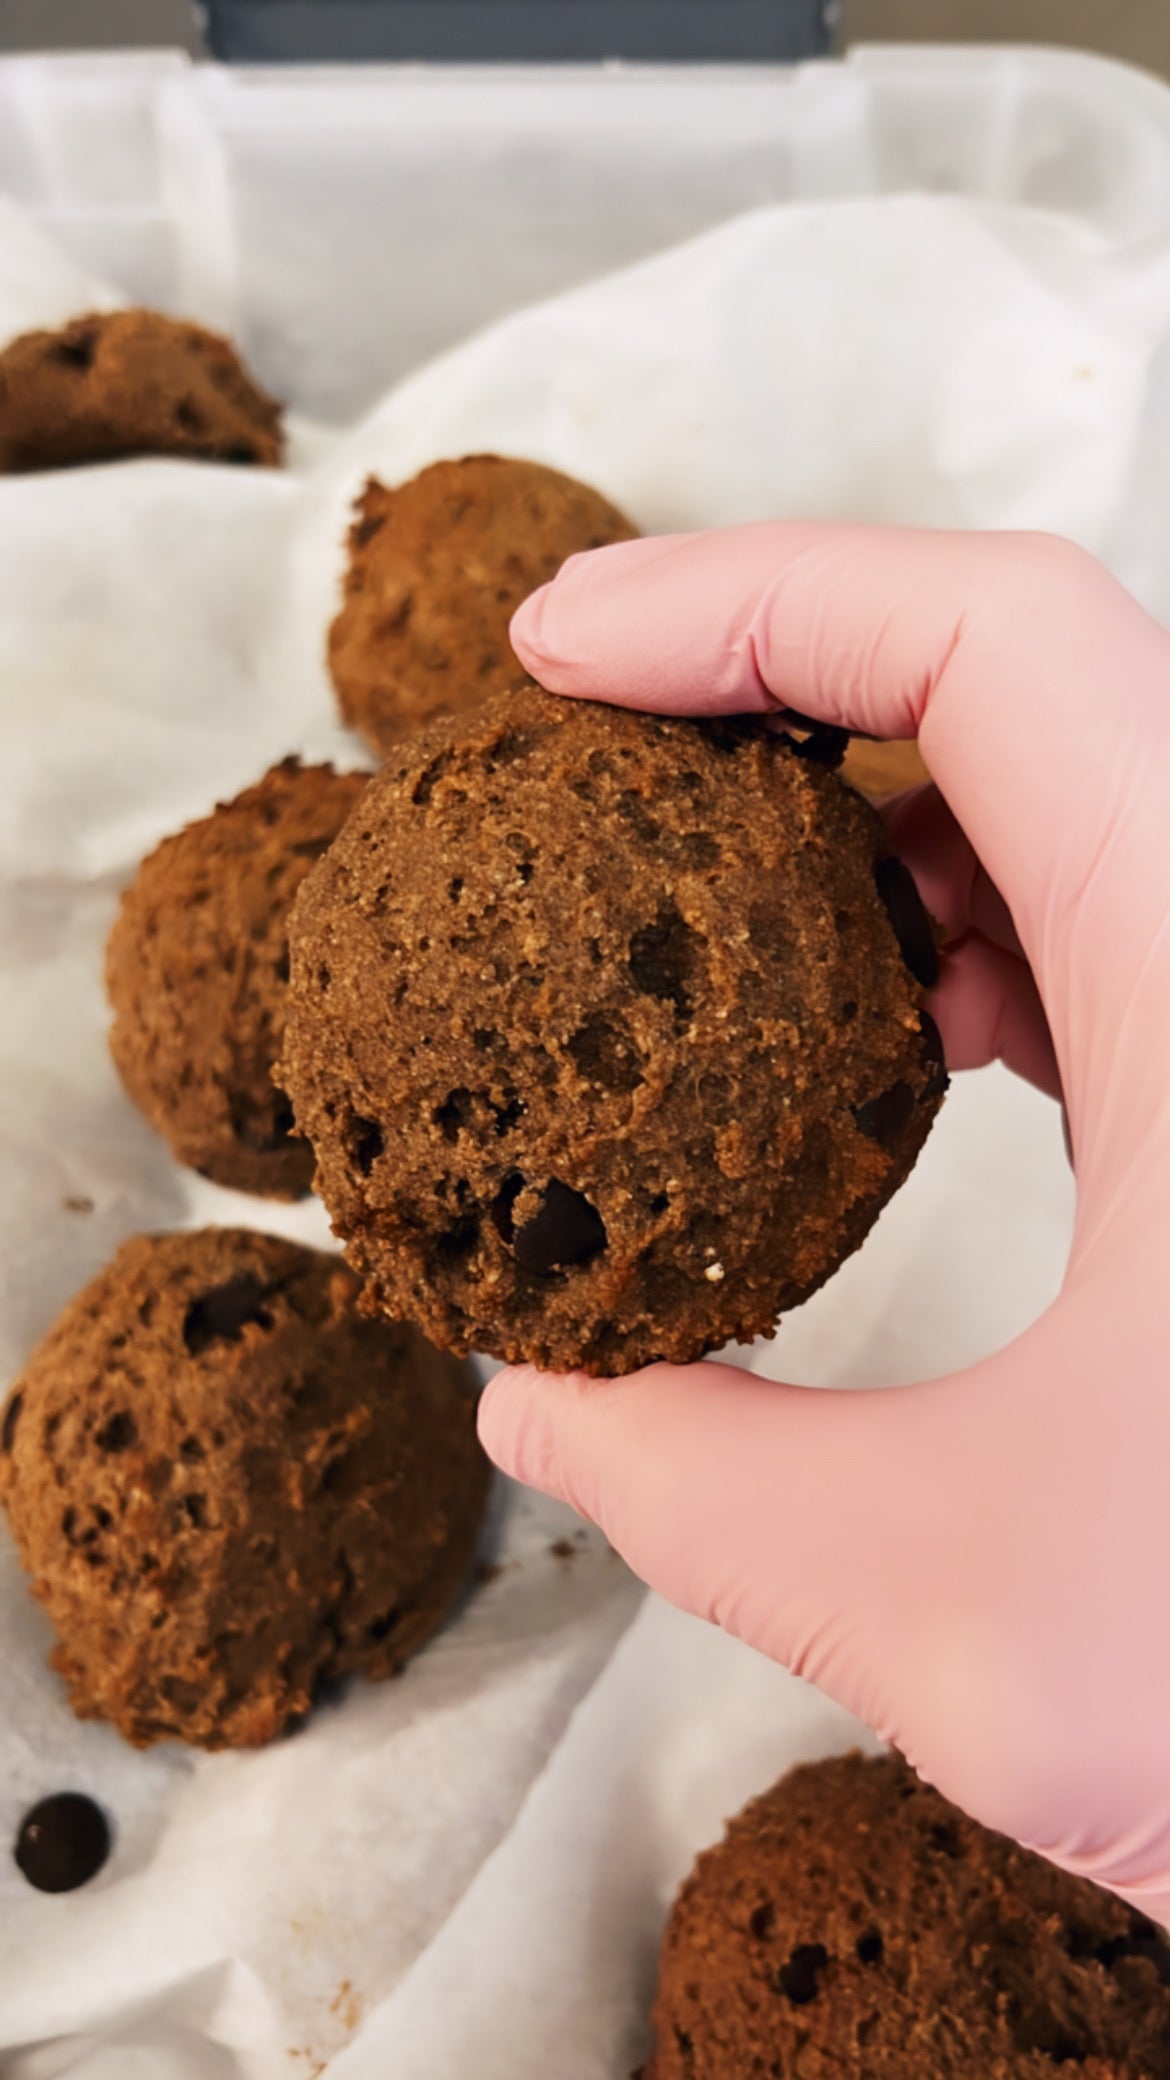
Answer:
(467, 1869)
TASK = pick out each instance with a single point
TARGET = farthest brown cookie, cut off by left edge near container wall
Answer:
(130, 384)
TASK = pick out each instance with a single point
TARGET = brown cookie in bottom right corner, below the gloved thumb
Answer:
(857, 1927)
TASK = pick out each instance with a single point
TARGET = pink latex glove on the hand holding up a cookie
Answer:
(977, 1567)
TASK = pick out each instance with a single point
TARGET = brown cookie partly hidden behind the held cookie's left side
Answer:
(197, 972)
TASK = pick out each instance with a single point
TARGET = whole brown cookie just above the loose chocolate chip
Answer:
(230, 1486)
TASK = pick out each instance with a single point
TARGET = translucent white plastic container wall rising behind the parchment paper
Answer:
(357, 207)
